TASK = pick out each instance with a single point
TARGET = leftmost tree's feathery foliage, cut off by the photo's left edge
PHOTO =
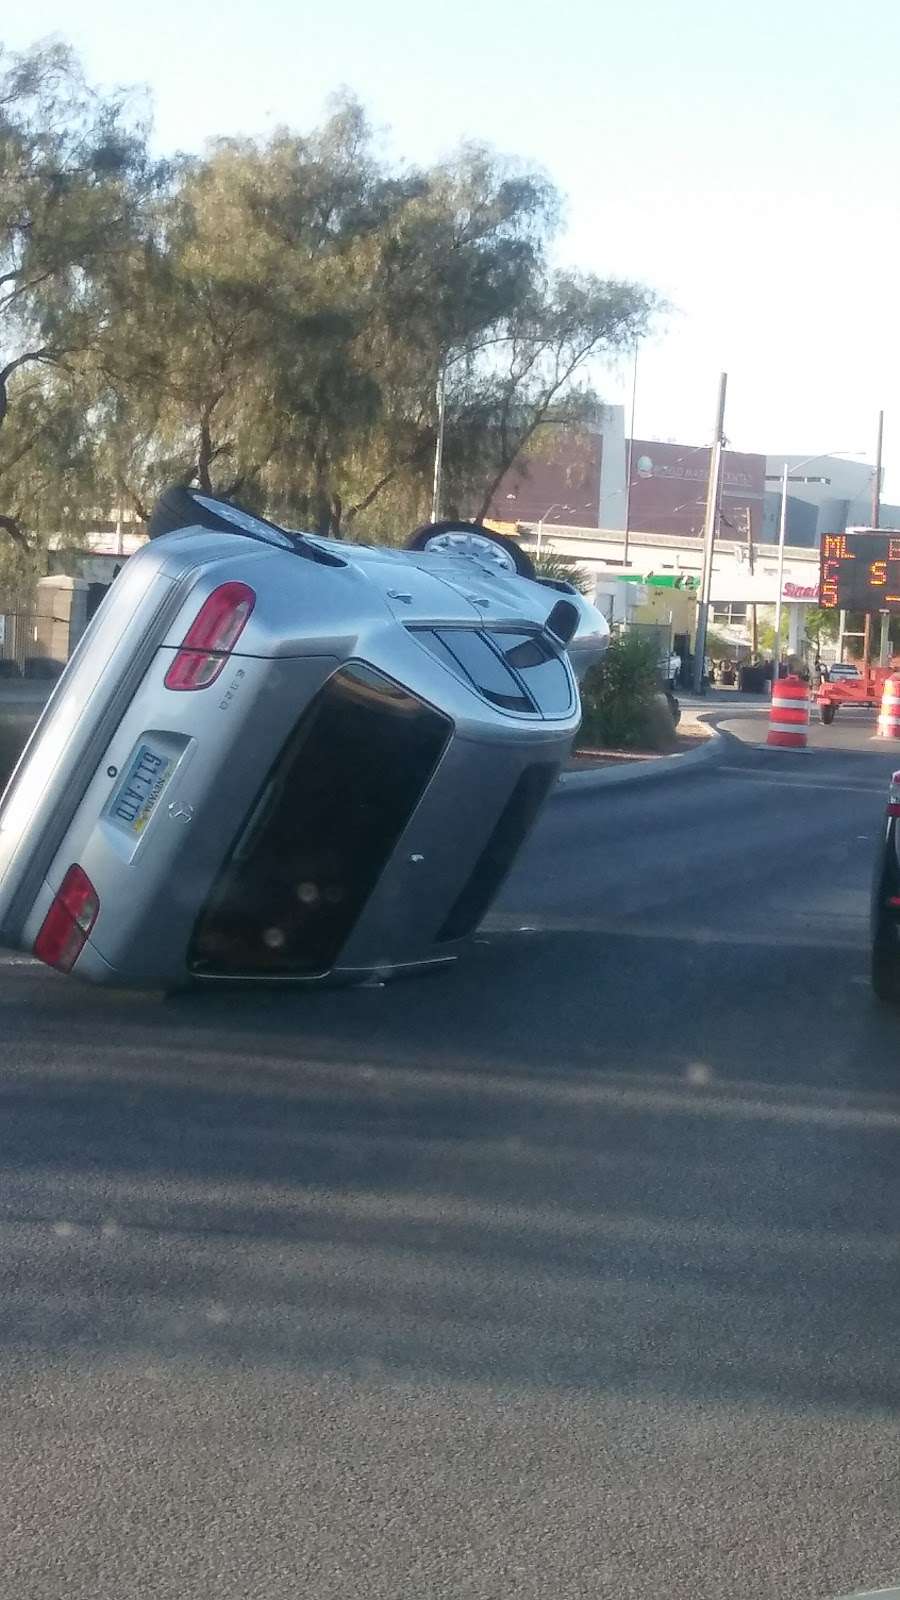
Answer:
(74, 177)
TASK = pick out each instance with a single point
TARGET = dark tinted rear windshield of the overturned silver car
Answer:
(323, 828)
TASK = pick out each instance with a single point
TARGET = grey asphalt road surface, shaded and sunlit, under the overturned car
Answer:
(568, 1274)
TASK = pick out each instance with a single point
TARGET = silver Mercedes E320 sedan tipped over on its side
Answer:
(281, 759)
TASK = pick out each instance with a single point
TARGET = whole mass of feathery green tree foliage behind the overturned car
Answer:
(271, 319)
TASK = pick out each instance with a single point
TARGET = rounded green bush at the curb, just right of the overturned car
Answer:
(622, 708)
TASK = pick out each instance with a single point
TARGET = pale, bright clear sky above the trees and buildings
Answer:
(742, 159)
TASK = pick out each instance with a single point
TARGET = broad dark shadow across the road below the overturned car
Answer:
(515, 1174)
